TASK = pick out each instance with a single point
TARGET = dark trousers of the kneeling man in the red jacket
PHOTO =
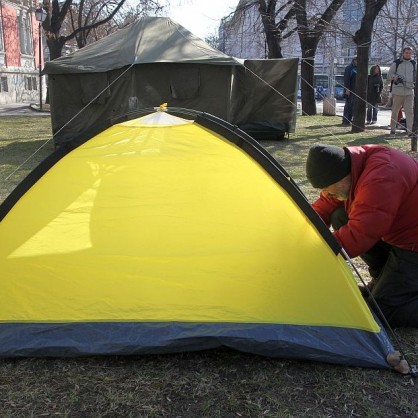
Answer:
(395, 272)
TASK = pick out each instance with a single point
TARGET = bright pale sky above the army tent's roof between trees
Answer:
(201, 17)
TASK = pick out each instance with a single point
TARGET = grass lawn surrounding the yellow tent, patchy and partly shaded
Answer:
(218, 383)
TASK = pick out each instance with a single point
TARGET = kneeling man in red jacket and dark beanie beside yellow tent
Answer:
(369, 194)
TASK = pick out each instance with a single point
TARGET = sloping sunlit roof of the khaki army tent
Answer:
(149, 40)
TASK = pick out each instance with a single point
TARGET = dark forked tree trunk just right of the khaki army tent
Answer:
(310, 30)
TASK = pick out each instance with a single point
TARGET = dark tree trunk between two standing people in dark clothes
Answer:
(362, 38)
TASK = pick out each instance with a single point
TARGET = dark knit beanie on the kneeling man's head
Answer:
(327, 164)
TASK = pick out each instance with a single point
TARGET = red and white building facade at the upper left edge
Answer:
(19, 52)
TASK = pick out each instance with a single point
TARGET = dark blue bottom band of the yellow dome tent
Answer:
(344, 346)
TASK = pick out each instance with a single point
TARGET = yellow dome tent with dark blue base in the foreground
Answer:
(166, 234)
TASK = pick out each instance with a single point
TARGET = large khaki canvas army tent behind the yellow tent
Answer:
(156, 60)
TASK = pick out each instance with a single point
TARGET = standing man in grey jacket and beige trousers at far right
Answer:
(402, 74)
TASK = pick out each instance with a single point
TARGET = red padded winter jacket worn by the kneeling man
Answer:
(383, 201)
